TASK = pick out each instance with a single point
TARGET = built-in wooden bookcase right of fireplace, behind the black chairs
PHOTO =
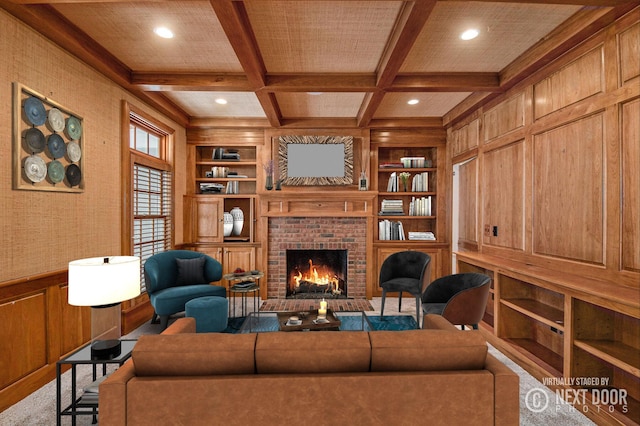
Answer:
(410, 217)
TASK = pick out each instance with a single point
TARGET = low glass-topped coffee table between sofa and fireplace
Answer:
(274, 321)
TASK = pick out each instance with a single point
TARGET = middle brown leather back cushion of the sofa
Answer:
(312, 352)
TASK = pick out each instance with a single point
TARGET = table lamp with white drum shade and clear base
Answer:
(102, 283)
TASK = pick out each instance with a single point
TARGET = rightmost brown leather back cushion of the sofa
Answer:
(427, 350)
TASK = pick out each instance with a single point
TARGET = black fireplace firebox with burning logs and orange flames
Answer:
(316, 273)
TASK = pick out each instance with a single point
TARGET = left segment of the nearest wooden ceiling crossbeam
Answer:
(173, 81)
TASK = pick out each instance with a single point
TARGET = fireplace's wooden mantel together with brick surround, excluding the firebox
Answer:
(317, 220)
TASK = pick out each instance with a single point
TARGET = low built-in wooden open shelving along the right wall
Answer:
(559, 325)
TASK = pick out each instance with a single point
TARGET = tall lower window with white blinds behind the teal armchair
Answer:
(152, 212)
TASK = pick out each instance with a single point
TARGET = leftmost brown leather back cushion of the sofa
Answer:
(193, 354)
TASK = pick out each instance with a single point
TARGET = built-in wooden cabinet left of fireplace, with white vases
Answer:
(222, 166)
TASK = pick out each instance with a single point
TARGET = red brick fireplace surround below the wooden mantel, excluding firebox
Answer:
(317, 233)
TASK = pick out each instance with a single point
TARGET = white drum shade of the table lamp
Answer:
(100, 281)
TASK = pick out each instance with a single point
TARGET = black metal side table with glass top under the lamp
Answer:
(88, 407)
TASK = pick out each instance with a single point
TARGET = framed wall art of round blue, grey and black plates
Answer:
(48, 144)
